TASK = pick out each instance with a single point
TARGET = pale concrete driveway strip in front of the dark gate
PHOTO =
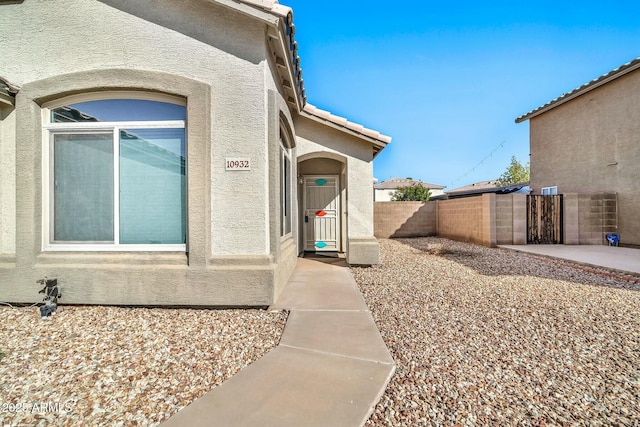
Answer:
(611, 257)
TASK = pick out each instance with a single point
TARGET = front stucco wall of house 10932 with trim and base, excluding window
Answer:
(208, 54)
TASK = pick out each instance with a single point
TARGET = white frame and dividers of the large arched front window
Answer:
(51, 129)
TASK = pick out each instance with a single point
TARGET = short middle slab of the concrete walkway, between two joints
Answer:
(346, 333)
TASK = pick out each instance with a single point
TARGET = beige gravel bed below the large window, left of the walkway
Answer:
(113, 366)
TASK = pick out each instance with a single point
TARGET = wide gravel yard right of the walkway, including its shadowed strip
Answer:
(487, 336)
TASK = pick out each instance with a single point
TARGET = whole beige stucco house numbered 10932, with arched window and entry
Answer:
(157, 154)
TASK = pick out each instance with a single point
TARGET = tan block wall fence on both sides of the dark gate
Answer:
(493, 219)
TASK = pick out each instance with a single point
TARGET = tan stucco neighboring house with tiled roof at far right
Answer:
(588, 141)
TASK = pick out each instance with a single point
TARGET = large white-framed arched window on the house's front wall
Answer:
(116, 173)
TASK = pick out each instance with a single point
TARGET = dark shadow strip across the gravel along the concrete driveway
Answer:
(499, 262)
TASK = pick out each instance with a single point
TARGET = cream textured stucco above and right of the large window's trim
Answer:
(89, 35)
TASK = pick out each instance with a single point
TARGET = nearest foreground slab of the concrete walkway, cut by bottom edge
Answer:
(292, 387)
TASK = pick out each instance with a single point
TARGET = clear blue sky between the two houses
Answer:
(446, 80)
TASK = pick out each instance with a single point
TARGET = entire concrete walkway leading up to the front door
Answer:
(330, 368)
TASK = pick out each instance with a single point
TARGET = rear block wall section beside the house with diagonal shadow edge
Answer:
(405, 219)
